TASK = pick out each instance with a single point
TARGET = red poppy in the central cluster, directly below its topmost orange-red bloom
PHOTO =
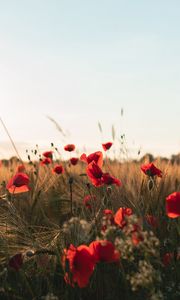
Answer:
(95, 174)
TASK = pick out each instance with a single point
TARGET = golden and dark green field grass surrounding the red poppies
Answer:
(41, 223)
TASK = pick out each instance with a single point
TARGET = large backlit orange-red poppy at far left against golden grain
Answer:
(18, 184)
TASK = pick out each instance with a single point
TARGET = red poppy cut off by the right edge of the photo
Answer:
(173, 205)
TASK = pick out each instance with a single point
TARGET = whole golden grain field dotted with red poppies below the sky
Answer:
(92, 228)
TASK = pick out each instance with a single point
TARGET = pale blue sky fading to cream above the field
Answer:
(80, 62)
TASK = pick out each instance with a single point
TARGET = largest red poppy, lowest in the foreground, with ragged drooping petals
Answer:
(81, 265)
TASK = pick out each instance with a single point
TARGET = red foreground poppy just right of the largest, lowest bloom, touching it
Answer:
(104, 251)
